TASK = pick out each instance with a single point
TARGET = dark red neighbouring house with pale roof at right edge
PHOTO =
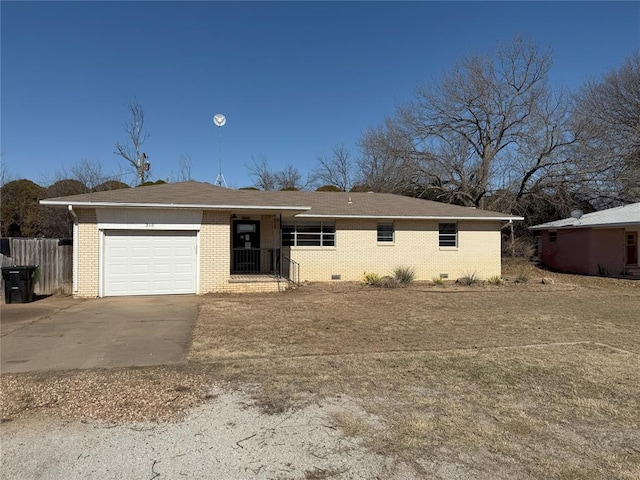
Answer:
(599, 243)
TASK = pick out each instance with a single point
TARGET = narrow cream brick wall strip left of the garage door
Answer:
(88, 253)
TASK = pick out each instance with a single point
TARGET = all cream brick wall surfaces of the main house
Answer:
(356, 251)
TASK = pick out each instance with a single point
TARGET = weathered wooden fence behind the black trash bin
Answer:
(54, 257)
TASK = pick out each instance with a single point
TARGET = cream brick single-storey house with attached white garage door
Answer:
(194, 237)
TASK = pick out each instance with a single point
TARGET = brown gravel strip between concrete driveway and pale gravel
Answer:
(119, 394)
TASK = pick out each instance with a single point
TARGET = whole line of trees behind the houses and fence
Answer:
(491, 132)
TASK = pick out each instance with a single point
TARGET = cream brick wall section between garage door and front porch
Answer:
(215, 252)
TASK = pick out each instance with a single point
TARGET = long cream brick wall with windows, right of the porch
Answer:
(416, 245)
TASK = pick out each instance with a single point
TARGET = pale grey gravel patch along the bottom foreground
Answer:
(225, 438)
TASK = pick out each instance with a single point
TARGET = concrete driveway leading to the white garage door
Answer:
(60, 333)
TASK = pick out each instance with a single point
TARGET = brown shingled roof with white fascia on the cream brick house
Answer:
(302, 204)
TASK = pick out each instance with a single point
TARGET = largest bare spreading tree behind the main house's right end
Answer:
(489, 123)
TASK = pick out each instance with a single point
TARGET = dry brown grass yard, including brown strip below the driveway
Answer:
(519, 380)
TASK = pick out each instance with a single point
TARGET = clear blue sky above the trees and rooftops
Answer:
(292, 78)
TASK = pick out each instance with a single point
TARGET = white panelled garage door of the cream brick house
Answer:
(149, 263)
